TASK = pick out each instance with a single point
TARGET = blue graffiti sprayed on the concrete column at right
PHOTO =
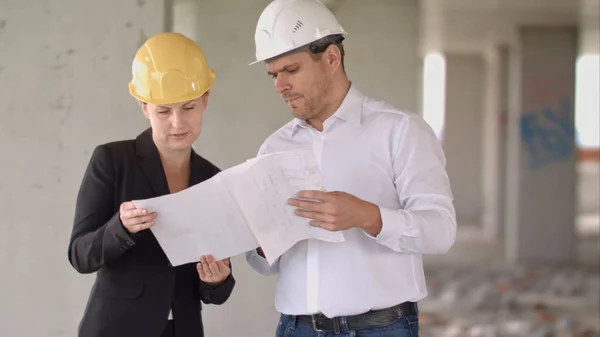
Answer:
(549, 134)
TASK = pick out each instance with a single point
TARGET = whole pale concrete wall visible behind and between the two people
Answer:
(68, 72)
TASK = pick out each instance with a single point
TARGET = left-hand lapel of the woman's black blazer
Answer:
(150, 163)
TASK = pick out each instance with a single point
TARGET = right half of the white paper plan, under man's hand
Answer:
(263, 193)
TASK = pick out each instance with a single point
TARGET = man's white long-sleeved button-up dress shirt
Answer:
(384, 156)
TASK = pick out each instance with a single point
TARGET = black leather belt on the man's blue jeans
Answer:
(371, 319)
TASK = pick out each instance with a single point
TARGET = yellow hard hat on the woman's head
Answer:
(170, 68)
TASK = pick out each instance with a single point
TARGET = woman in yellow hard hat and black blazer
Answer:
(137, 292)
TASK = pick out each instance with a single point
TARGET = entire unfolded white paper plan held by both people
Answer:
(239, 209)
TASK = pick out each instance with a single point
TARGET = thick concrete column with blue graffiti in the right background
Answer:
(541, 159)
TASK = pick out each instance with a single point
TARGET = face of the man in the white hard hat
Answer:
(302, 81)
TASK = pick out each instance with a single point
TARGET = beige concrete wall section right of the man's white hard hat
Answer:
(383, 50)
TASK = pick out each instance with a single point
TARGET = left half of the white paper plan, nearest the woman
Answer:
(200, 220)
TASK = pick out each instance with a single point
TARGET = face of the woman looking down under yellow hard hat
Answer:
(176, 126)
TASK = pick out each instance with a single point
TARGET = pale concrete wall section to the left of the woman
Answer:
(64, 69)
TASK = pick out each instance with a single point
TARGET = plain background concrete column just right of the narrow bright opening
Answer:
(463, 133)
